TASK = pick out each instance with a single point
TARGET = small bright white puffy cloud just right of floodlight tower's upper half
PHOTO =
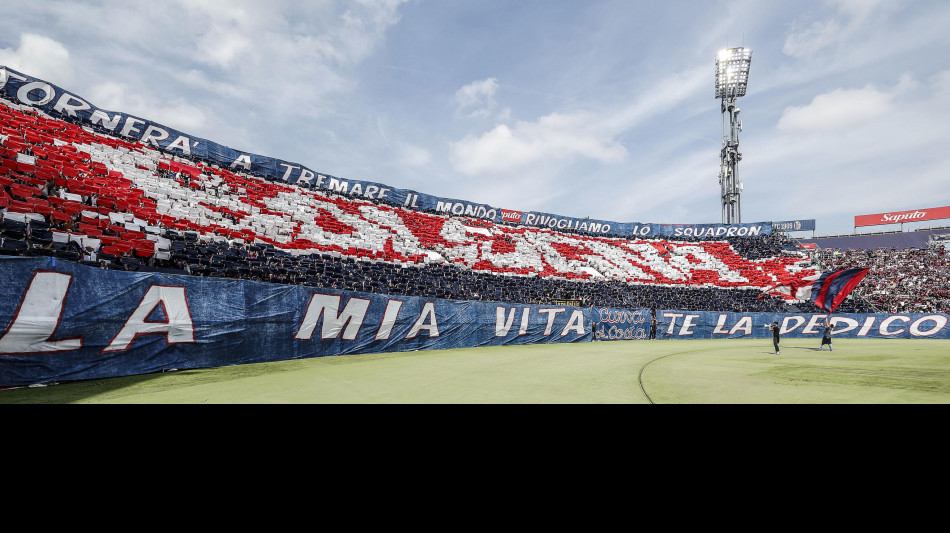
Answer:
(842, 109)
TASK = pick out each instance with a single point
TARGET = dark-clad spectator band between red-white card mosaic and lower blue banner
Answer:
(266, 263)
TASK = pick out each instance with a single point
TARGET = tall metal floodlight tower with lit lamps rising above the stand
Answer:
(732, 77)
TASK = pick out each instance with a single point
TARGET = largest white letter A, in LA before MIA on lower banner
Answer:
(177, 328)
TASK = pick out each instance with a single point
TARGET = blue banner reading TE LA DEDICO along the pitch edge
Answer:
(717, 325)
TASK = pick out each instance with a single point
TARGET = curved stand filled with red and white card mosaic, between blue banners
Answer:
(76, 194)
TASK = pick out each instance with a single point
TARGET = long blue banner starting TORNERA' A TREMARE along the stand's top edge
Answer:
(55, 101)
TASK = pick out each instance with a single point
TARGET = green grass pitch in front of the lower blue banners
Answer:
(619, 372)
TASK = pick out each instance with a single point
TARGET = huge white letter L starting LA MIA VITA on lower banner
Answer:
(38, 316)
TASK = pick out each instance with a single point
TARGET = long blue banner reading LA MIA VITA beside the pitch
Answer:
(65, 321)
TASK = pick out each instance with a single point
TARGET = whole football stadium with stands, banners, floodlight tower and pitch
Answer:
(141, 263)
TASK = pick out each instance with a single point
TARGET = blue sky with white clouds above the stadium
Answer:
(602, 108)
